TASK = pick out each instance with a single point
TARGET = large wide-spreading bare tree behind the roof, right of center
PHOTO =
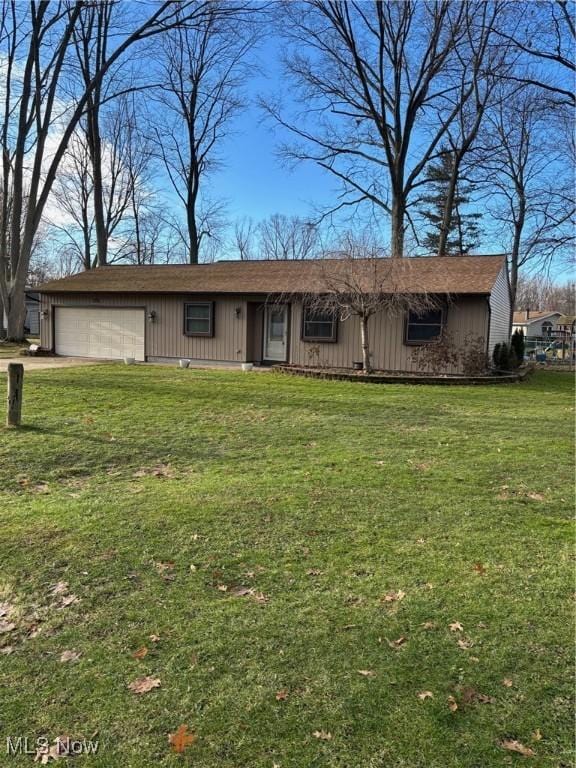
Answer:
(383, 83)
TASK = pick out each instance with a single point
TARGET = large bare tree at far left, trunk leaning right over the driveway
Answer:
(36, 45)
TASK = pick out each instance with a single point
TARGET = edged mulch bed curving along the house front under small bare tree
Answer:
(401, 377)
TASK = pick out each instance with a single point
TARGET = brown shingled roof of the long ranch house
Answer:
(452, 274)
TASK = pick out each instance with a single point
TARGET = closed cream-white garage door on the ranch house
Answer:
(99, 332)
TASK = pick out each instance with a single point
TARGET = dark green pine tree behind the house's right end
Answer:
(464, 230)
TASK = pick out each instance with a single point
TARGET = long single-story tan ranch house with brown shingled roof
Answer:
(255, 311)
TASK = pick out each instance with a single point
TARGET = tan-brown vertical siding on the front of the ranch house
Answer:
(239, 338)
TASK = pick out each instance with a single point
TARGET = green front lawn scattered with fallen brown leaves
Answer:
(297, 550)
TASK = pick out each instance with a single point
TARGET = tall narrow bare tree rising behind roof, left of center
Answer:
(203, 73)
